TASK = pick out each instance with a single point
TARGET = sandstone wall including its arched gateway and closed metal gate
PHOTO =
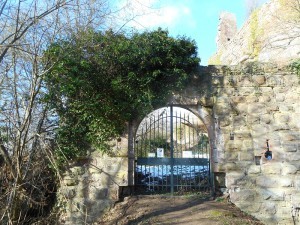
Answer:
(240, 108)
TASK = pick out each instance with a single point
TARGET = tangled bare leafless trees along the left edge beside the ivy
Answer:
(26, 124)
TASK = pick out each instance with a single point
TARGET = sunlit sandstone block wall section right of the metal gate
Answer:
(255, 103)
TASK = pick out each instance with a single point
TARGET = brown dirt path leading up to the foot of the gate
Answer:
(162, 210)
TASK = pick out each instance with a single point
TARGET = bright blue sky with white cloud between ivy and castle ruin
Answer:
(195, 19)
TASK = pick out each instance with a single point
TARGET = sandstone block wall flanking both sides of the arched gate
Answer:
(241, 106)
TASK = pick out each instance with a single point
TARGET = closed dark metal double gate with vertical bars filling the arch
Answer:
(172, 153)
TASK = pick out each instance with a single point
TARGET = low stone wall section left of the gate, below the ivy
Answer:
(92, 185)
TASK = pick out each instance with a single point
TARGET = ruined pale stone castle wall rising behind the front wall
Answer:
(271, 34)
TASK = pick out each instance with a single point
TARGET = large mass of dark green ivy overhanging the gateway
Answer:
(100, 81)
